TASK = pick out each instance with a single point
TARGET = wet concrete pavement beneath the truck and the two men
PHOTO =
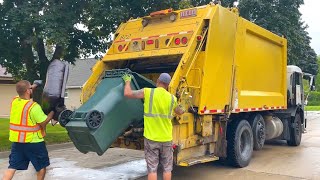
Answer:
(275, 161)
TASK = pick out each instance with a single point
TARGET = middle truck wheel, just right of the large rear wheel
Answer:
(258, 130)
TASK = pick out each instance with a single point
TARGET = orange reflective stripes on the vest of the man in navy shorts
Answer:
(23, 127)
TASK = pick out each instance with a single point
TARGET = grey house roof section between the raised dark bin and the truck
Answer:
(80, 72)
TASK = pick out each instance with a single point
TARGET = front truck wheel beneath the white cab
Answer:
(295, 132)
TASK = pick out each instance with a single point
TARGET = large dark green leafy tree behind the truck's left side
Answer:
(34, 32)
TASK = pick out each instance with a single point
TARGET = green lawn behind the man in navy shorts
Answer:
(55, 134)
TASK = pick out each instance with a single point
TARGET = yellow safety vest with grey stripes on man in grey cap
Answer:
(158, 113)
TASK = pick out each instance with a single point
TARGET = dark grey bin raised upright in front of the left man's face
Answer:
(54, 88)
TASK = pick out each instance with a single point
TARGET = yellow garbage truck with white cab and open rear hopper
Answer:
(229, 74)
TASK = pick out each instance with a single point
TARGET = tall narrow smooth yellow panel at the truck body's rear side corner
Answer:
(217, 69)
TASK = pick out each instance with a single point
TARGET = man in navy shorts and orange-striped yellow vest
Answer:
(27, 124)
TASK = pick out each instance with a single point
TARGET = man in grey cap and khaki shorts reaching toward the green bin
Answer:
(159, 106)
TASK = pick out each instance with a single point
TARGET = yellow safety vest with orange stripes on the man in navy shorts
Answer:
(22, 128)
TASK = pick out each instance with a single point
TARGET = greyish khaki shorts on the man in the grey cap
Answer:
(158, 152)
